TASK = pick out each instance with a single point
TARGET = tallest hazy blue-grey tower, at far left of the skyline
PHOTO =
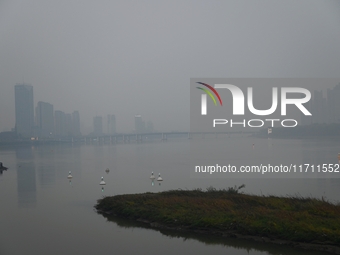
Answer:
(24, 110)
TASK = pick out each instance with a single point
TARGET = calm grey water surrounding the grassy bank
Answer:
(43, 213)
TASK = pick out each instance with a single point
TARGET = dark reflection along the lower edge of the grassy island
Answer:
(228, 242)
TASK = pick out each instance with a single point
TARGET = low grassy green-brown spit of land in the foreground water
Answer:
(303, 222)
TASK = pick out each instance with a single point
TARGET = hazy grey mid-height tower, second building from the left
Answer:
(44, 119)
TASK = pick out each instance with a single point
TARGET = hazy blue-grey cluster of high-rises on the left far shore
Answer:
(50, 123)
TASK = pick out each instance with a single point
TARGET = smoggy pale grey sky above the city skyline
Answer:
(137, 57)
